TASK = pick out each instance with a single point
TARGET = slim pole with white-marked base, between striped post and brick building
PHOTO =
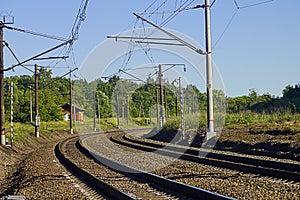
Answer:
(37, 117)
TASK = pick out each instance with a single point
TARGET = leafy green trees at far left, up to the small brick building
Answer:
(53, 93)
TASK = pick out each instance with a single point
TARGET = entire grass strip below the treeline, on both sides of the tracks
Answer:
(279, 123)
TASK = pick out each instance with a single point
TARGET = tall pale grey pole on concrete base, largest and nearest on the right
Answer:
(210, 113)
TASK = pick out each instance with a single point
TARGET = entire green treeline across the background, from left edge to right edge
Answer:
(108, 98)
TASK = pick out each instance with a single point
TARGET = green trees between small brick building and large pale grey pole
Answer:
(125, 97)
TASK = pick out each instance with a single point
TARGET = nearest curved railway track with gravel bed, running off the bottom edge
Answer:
(123, 184)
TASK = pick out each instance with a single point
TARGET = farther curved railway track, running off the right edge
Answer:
(276, 169)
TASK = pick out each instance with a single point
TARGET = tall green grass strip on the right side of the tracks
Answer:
(279, 122)
